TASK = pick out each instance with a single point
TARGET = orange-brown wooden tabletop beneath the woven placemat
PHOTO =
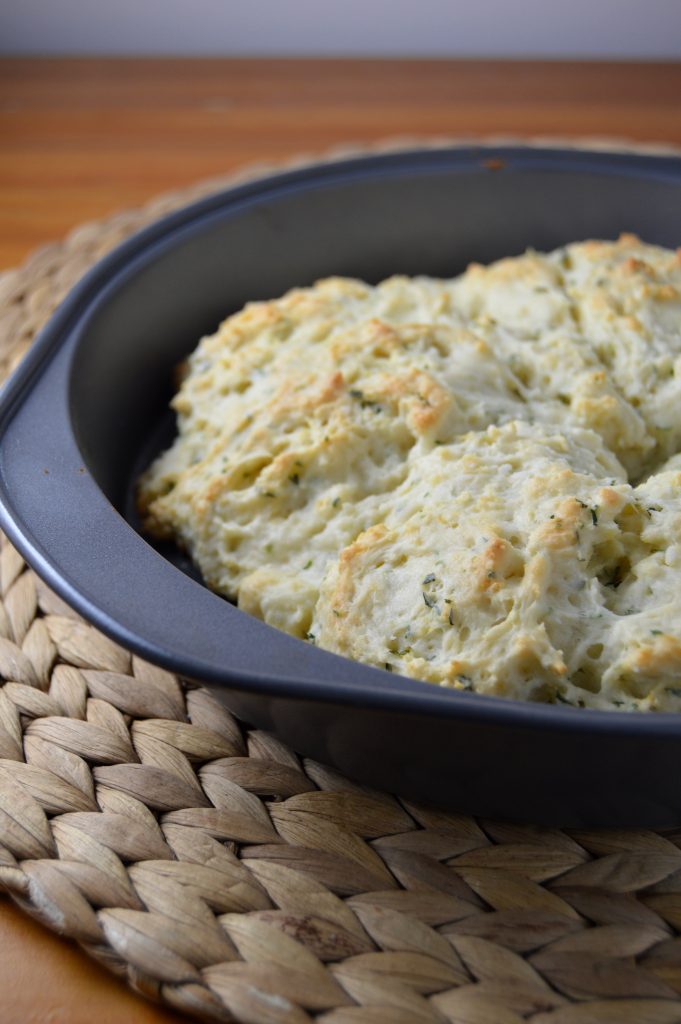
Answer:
(81, 139)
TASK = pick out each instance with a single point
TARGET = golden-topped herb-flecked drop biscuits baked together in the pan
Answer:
(474, 482)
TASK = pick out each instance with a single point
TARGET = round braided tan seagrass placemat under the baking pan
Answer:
(224, 875)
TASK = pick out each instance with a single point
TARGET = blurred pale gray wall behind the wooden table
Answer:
(554, 29)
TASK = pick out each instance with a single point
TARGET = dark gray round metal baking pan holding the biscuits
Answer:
(89, 409)
